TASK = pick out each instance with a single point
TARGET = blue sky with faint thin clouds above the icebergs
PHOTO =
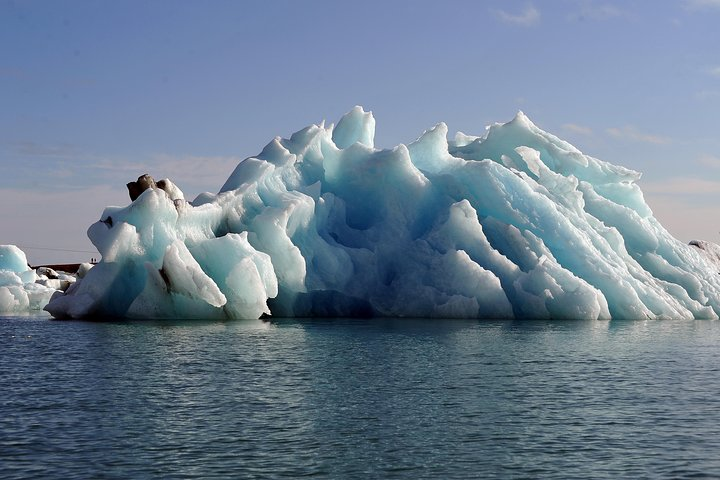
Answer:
(95, 93)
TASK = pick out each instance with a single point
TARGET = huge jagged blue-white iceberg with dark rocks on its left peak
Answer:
(514, 224)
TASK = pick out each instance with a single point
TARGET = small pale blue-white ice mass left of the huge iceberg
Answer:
(23, 289)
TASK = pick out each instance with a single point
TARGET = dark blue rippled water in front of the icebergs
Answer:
(359, 399)
